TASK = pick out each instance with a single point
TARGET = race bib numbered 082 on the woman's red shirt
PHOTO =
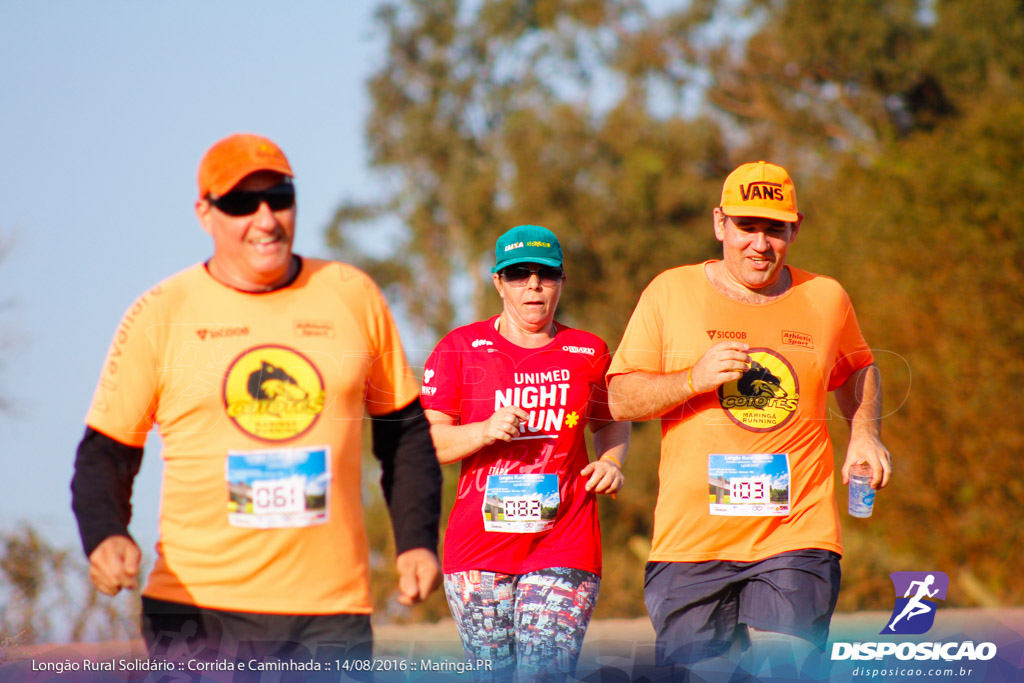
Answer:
(521, 503)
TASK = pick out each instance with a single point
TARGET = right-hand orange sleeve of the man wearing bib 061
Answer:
(391, 385)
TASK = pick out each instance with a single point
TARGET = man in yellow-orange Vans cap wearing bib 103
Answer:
(738, 357)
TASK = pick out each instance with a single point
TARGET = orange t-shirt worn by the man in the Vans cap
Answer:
(746, 472)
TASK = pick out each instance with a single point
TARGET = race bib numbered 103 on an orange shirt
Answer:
(749, 486)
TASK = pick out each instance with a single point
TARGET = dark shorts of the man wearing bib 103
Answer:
(699, 610)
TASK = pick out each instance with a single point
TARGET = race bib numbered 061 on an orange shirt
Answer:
(279, 488)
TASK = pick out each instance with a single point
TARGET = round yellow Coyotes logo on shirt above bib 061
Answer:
(274, 394)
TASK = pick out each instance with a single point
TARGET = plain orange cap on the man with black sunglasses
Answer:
(236, 157)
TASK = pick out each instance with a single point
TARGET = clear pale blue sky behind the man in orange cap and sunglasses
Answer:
(107, 108)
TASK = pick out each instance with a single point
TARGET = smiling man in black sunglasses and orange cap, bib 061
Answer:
(257, 367)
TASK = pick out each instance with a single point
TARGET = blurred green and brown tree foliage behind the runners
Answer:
(615, 126)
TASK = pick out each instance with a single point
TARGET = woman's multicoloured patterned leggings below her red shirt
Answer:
(532, 625)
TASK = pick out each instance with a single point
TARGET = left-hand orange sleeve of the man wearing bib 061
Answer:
(125, 401)
